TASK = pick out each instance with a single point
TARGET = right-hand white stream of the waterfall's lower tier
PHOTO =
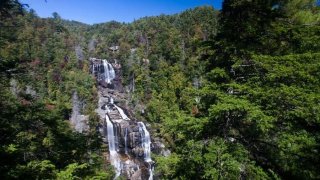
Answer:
(146, 142)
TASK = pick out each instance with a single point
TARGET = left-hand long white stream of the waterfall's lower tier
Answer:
(114, 158)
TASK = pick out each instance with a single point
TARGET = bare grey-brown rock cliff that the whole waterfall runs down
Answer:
(130, 138)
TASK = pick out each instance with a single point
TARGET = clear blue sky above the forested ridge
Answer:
(97, 11)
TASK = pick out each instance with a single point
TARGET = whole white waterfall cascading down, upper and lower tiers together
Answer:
(117, 137)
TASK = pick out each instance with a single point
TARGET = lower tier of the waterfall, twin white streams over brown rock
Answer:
(129, 143)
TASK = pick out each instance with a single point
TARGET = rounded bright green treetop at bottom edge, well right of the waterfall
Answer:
(230, 161)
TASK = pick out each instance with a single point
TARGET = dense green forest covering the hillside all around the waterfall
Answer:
(234, 93)
